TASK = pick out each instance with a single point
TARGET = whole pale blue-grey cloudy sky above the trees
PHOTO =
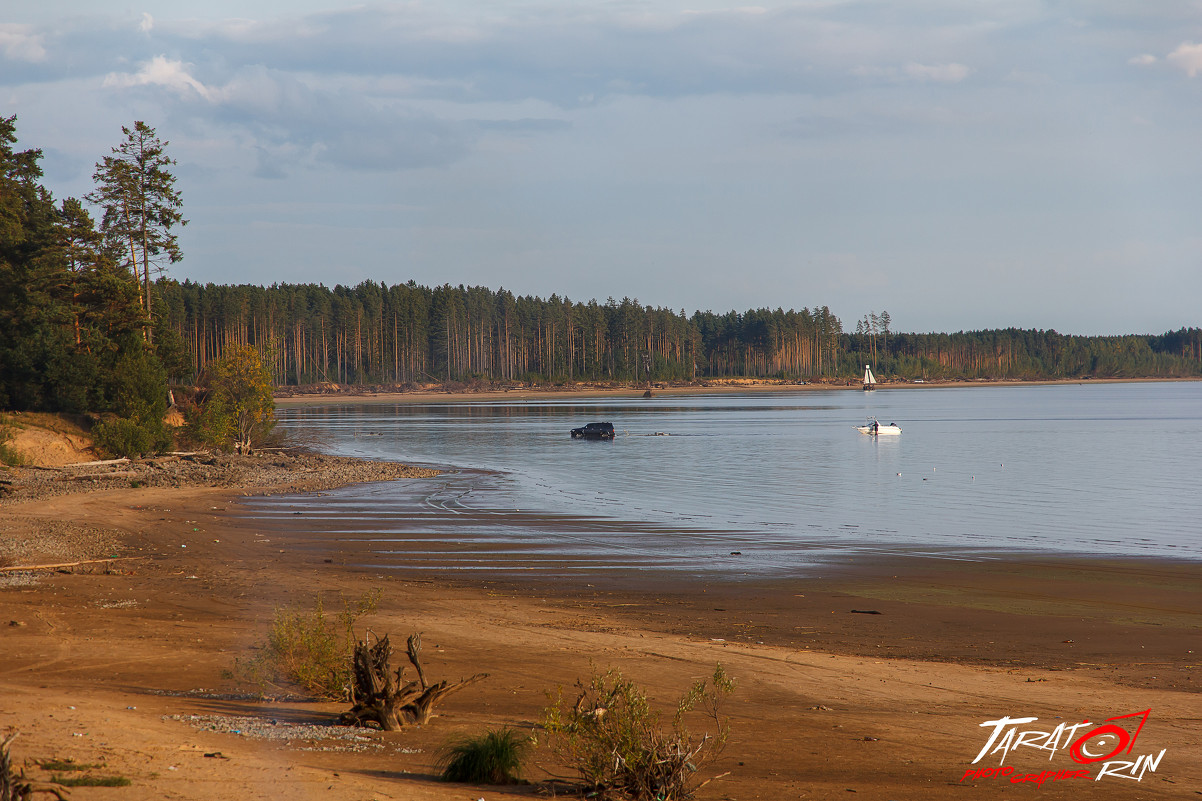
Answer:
(1034, 164)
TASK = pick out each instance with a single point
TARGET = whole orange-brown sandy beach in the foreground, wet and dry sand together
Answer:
(873, 683)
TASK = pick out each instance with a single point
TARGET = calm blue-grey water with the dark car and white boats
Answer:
(782, 478)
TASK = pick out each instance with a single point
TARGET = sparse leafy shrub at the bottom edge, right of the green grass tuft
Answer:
(614, 738)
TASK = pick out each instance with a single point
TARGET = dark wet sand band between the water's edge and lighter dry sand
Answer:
(1032, 604)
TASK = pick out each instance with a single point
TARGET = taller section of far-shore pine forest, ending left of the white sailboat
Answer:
(407, 334)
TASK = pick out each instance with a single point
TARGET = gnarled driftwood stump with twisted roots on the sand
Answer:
(382, 698)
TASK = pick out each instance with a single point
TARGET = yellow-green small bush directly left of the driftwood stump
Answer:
(311, 649)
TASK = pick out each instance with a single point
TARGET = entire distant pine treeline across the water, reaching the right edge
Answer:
(379, 335)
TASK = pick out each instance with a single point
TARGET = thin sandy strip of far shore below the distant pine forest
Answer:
(435, 394)
